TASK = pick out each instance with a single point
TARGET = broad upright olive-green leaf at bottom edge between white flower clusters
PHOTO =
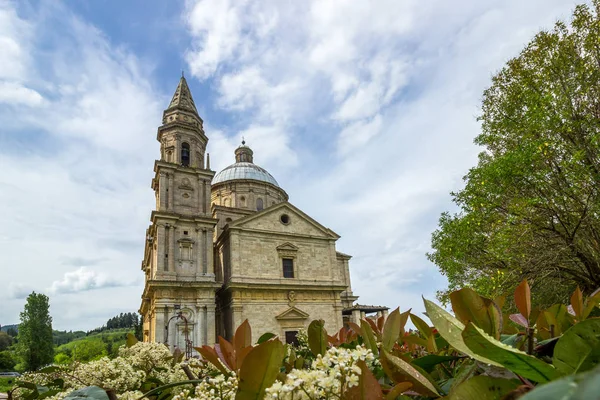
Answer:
(259, 370)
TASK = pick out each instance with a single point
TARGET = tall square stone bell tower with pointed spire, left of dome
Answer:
(178, 303)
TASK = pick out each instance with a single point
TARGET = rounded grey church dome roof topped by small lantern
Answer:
(244, 169)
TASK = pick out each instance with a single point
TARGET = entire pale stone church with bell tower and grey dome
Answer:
(227, 247)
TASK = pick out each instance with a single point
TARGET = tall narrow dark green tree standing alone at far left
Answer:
(35, 332)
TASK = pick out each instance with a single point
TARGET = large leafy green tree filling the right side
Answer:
(531, 207)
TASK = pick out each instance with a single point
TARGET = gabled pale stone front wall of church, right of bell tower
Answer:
(251, 252)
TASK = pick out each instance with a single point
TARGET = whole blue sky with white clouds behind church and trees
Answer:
(364, 111)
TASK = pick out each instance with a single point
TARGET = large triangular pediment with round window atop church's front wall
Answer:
(298, 222)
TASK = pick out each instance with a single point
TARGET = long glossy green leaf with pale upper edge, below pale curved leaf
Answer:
(512, 359)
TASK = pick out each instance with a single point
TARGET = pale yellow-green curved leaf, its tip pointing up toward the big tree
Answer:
(451, 329)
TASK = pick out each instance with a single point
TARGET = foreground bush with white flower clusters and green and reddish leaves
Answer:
(478, 353)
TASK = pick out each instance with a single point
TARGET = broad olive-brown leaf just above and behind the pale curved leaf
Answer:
(471, 307)
